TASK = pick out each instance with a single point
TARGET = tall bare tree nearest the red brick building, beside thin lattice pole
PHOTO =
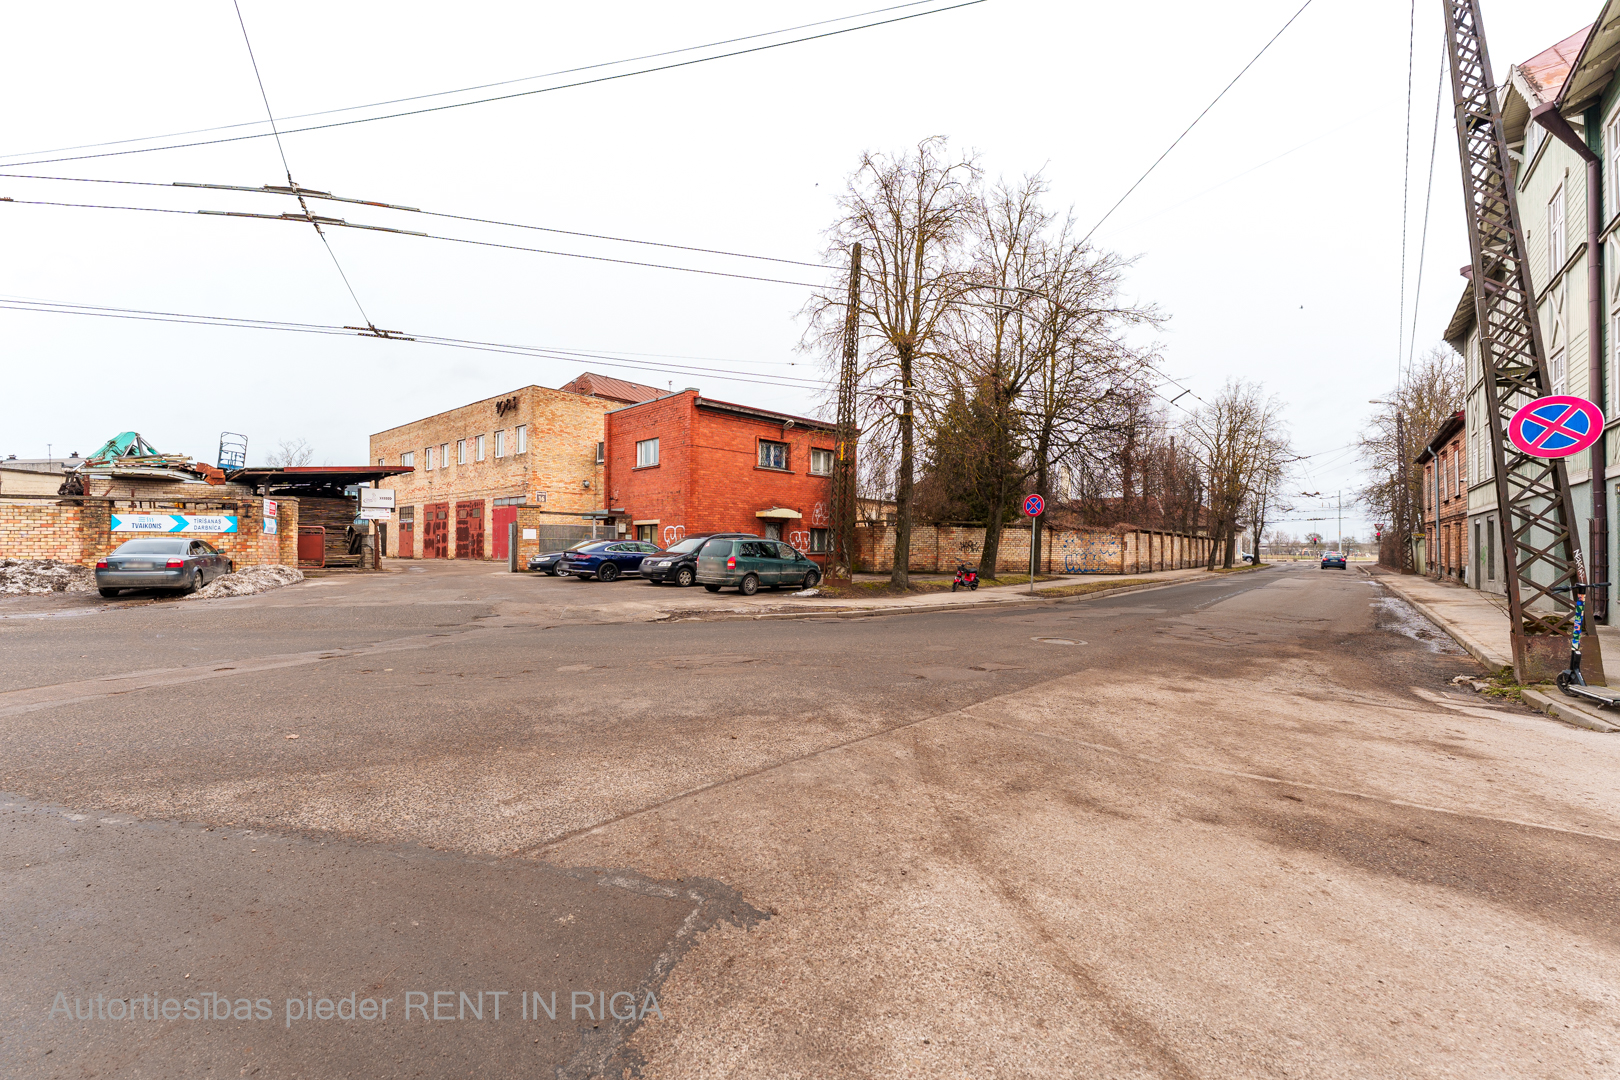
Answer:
(910, 215)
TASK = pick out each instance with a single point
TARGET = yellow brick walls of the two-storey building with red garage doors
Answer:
(560, 461)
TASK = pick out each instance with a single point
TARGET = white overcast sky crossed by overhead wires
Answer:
(1271, 237)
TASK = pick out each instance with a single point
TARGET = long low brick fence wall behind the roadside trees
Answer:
(940, 548)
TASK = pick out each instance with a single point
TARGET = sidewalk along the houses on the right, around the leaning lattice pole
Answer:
(1480, 623)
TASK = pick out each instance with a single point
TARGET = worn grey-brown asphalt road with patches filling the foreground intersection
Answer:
(1227, 828)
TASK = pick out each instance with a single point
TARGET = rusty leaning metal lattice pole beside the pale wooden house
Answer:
(1533, 495)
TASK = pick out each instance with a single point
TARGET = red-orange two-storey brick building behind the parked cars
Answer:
(686, 464)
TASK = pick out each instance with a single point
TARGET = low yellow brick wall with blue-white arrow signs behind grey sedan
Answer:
(82, 530)
